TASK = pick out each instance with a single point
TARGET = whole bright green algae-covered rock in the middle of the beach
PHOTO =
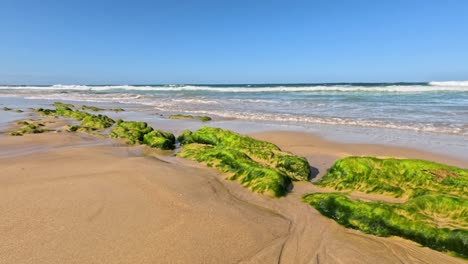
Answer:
(258, 165)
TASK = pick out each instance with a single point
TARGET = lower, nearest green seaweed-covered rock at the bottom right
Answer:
(412, 220)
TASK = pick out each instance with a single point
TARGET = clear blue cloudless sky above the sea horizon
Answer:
(141, 42)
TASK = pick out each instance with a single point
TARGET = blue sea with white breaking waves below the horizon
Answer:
(436, 107)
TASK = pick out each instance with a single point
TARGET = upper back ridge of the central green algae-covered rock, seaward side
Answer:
(295, 167)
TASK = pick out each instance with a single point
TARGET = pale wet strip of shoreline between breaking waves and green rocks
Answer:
(444, 144)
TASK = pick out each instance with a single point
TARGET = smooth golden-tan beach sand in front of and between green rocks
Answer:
(69, 198)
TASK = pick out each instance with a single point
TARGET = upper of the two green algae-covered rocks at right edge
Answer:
(395, 177)
